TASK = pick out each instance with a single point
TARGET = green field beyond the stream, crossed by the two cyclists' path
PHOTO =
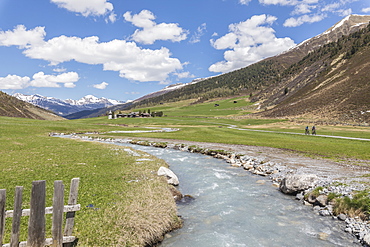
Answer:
(207, 123)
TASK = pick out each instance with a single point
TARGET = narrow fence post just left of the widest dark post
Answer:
(17, 213)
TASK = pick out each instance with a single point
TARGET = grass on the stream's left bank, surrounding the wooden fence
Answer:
(108, 215)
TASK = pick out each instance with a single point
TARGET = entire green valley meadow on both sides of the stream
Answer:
(117, 193)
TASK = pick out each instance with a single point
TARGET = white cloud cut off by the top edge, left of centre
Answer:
(85, 7)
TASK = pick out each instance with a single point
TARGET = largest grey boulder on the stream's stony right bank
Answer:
(293, 184)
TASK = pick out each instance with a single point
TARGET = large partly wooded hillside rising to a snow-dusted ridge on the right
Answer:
(319, 78)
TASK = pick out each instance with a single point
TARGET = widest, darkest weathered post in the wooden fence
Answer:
(36, 227)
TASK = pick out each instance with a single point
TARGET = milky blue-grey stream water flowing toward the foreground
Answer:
(232, 207)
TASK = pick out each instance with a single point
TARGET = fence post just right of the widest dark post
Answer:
(58, 208)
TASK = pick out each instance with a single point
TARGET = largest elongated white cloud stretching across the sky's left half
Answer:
(132, 62)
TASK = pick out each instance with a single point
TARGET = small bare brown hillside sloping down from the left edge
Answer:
(13, 107)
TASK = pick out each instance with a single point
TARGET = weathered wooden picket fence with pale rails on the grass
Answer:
(36, 213)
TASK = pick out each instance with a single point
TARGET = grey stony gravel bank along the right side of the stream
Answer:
(293, 173)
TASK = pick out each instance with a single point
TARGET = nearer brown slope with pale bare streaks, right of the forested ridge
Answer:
(330, 84)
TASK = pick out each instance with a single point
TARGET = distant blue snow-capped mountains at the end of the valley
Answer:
(69, 106)
